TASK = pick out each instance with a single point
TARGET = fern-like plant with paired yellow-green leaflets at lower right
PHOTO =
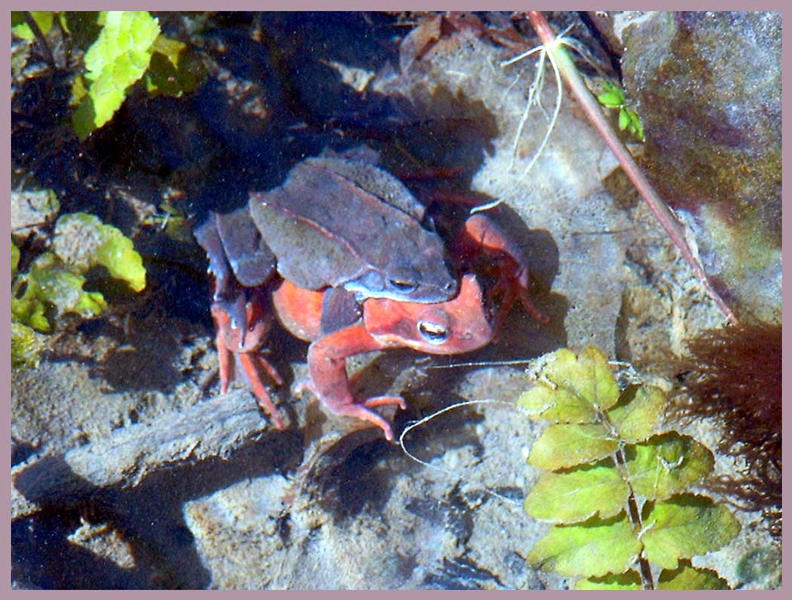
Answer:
(617, 489)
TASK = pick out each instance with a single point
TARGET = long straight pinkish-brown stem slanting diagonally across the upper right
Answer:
(595, 115)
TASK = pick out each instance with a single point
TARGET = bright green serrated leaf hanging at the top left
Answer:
(116, 60)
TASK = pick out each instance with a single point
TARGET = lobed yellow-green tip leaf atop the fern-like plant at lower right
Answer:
(572, 389)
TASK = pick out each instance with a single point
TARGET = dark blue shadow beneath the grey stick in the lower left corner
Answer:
(148, 517)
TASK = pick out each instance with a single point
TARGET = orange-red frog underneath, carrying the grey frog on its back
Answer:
(338, 326)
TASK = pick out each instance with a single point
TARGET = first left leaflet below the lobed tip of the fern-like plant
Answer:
(569, 444)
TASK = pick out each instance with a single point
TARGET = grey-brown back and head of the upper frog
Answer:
(341, 222)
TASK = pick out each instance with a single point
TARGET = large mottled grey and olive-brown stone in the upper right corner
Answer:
(707, 86)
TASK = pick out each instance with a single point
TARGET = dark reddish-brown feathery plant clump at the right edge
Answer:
(733, 377)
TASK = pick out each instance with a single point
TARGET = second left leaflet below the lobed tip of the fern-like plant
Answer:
(578, 494)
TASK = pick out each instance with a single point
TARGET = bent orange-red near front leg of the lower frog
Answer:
(330, 382)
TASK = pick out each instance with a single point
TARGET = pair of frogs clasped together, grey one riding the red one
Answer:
(302, 248)
